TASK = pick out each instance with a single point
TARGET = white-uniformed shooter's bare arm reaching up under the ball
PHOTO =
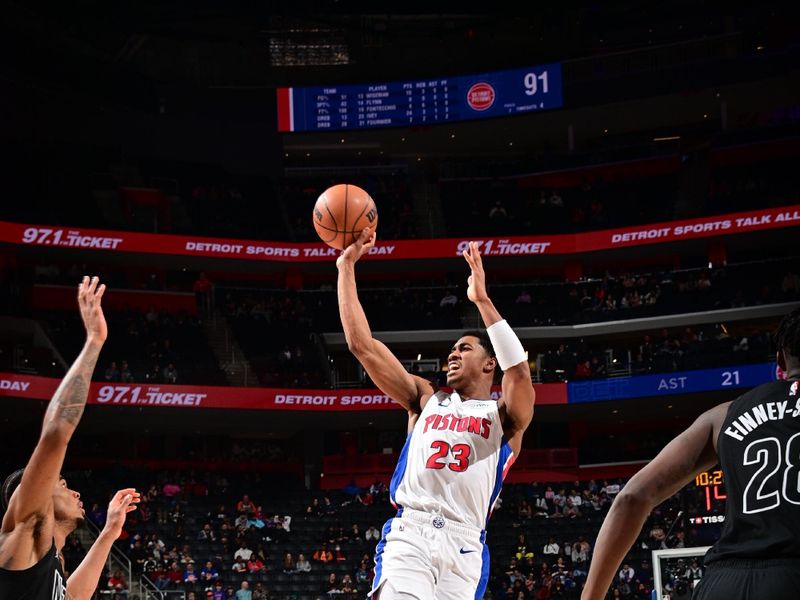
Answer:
(382, 366)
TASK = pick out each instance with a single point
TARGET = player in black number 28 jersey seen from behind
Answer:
(756, 441)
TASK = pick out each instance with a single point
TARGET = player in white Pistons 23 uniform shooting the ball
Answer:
(459, 447)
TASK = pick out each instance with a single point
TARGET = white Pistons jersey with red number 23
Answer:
(454, 460)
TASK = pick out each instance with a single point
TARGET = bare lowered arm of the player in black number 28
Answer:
(692, 452)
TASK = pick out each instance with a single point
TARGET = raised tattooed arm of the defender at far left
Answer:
(34, 495)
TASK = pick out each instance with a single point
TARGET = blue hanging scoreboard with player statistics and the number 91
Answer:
(420, 102)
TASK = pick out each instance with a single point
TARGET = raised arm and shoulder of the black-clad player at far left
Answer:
(32, 501)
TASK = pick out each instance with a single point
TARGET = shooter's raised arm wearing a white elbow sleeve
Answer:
(518, 393)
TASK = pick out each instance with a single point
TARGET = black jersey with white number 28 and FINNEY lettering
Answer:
(759, 451)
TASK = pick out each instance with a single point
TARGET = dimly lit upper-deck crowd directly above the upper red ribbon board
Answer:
(200, 199)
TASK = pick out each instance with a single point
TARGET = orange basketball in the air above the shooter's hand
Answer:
(341, 213)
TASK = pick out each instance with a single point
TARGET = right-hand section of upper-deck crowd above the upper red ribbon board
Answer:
(520, 206)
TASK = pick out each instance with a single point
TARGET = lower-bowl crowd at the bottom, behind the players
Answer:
(203, 536)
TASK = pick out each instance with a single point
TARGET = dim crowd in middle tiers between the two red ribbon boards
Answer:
(279, 330)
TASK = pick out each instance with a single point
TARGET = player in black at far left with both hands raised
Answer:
(40, 510)
